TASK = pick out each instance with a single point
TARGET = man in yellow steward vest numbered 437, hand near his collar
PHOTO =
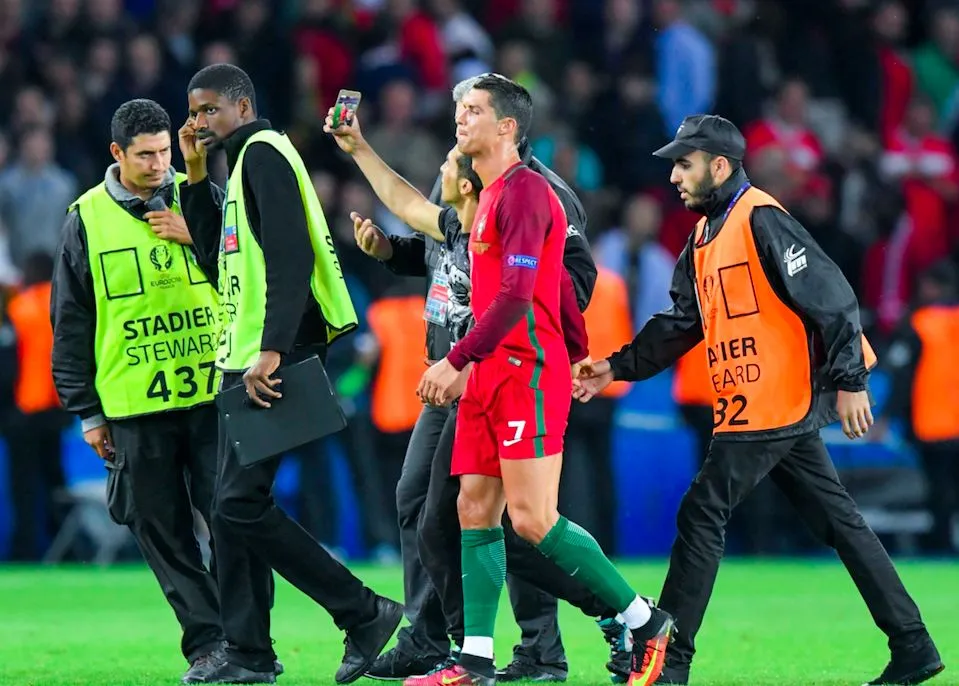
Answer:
(127, 292)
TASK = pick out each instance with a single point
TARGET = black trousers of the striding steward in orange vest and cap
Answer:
(802, 469)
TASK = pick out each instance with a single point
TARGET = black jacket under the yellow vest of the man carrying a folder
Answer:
(278, 223)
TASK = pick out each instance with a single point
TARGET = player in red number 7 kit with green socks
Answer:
(512, 416)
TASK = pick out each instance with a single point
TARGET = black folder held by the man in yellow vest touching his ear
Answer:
(307, 411)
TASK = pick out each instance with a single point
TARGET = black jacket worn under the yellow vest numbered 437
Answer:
(73, 304)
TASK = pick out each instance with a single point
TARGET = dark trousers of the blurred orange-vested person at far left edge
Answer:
(35, 467)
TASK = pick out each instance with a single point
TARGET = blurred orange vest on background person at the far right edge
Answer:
(935, 388)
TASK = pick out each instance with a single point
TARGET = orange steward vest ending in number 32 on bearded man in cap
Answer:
(757, 348)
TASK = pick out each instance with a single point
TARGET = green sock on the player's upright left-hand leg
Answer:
(484, 572)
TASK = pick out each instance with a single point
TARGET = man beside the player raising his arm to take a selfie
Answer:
(448, 302)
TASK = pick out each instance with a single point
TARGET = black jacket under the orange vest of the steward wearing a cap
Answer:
(820, 294)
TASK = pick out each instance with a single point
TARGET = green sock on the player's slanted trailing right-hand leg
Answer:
(577, 553)
